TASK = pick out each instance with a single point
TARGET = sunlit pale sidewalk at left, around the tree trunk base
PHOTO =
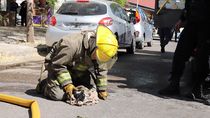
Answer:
(14, 48)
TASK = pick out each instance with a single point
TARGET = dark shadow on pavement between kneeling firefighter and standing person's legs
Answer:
(146, 71)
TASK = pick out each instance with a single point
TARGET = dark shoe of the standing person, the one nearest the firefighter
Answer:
(170, 90)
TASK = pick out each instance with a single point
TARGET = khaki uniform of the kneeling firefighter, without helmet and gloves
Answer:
(69, 62)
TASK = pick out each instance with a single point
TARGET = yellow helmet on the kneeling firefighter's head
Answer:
(106, 42)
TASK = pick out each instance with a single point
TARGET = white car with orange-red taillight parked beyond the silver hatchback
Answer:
(143, 27)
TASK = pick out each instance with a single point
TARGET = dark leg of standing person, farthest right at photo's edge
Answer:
(202, 65)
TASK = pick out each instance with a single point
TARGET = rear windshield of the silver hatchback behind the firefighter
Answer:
(77, 8)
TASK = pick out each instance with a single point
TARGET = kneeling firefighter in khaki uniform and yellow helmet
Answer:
(77, 59)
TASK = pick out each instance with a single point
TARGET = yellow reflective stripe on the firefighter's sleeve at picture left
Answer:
(64, 76)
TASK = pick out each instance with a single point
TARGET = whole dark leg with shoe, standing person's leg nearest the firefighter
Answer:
(182, 53)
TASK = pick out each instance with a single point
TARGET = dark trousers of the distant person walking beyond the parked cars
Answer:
(165, 36)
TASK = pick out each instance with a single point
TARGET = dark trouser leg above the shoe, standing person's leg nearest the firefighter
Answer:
(186, 45)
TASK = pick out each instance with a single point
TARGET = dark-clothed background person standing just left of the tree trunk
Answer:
(23, 13)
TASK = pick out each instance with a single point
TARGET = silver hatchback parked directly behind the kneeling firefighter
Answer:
(78, 15)
